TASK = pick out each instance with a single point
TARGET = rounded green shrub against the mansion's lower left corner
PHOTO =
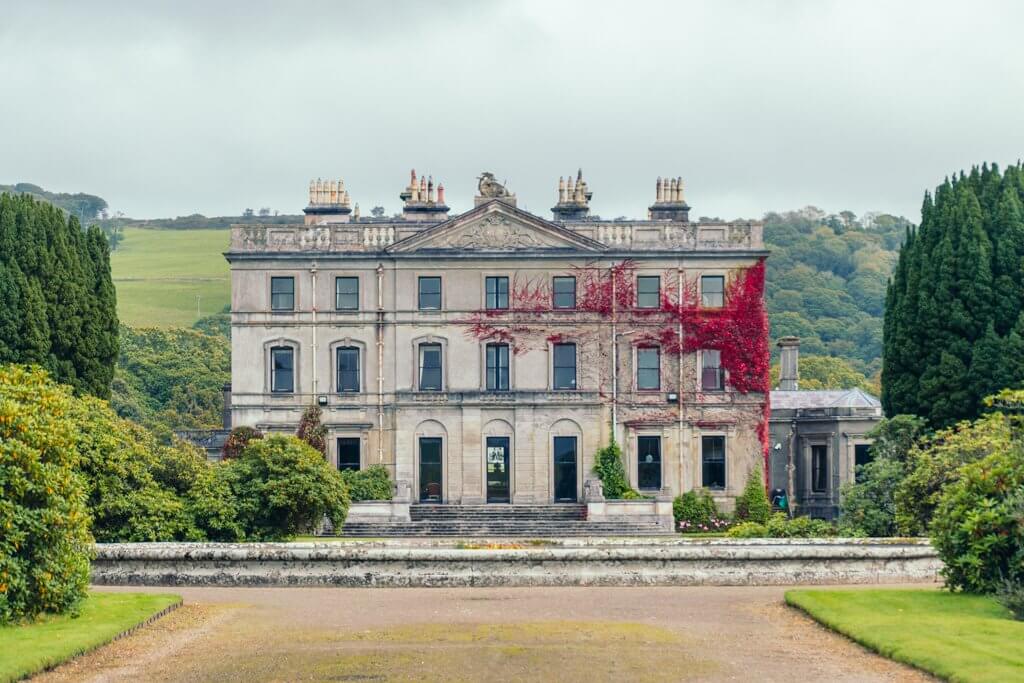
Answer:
(284, 488)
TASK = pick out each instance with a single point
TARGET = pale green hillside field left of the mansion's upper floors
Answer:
(159, 275)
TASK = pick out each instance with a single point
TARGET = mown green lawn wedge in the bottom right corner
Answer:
(955, 636)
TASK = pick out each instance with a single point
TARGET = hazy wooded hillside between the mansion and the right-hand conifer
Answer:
(827, 281)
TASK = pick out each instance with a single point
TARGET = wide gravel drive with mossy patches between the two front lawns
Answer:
(566, 634)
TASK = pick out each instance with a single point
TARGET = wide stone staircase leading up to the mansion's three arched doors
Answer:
(497, 521)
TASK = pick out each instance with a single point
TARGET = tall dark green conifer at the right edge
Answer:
(954, 326)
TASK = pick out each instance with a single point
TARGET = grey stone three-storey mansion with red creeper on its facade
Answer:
(487, 357)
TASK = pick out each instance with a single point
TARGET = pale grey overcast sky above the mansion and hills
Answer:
(170, 109)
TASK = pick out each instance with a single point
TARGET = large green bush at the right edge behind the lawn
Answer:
(978, 529)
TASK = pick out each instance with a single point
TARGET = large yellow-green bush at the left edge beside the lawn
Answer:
(46, 541)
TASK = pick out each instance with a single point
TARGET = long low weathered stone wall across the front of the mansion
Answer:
(676, 563)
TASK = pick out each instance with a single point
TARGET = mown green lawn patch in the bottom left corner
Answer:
(34, 648)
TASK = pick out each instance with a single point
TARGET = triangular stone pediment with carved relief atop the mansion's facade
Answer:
(496, 228)
